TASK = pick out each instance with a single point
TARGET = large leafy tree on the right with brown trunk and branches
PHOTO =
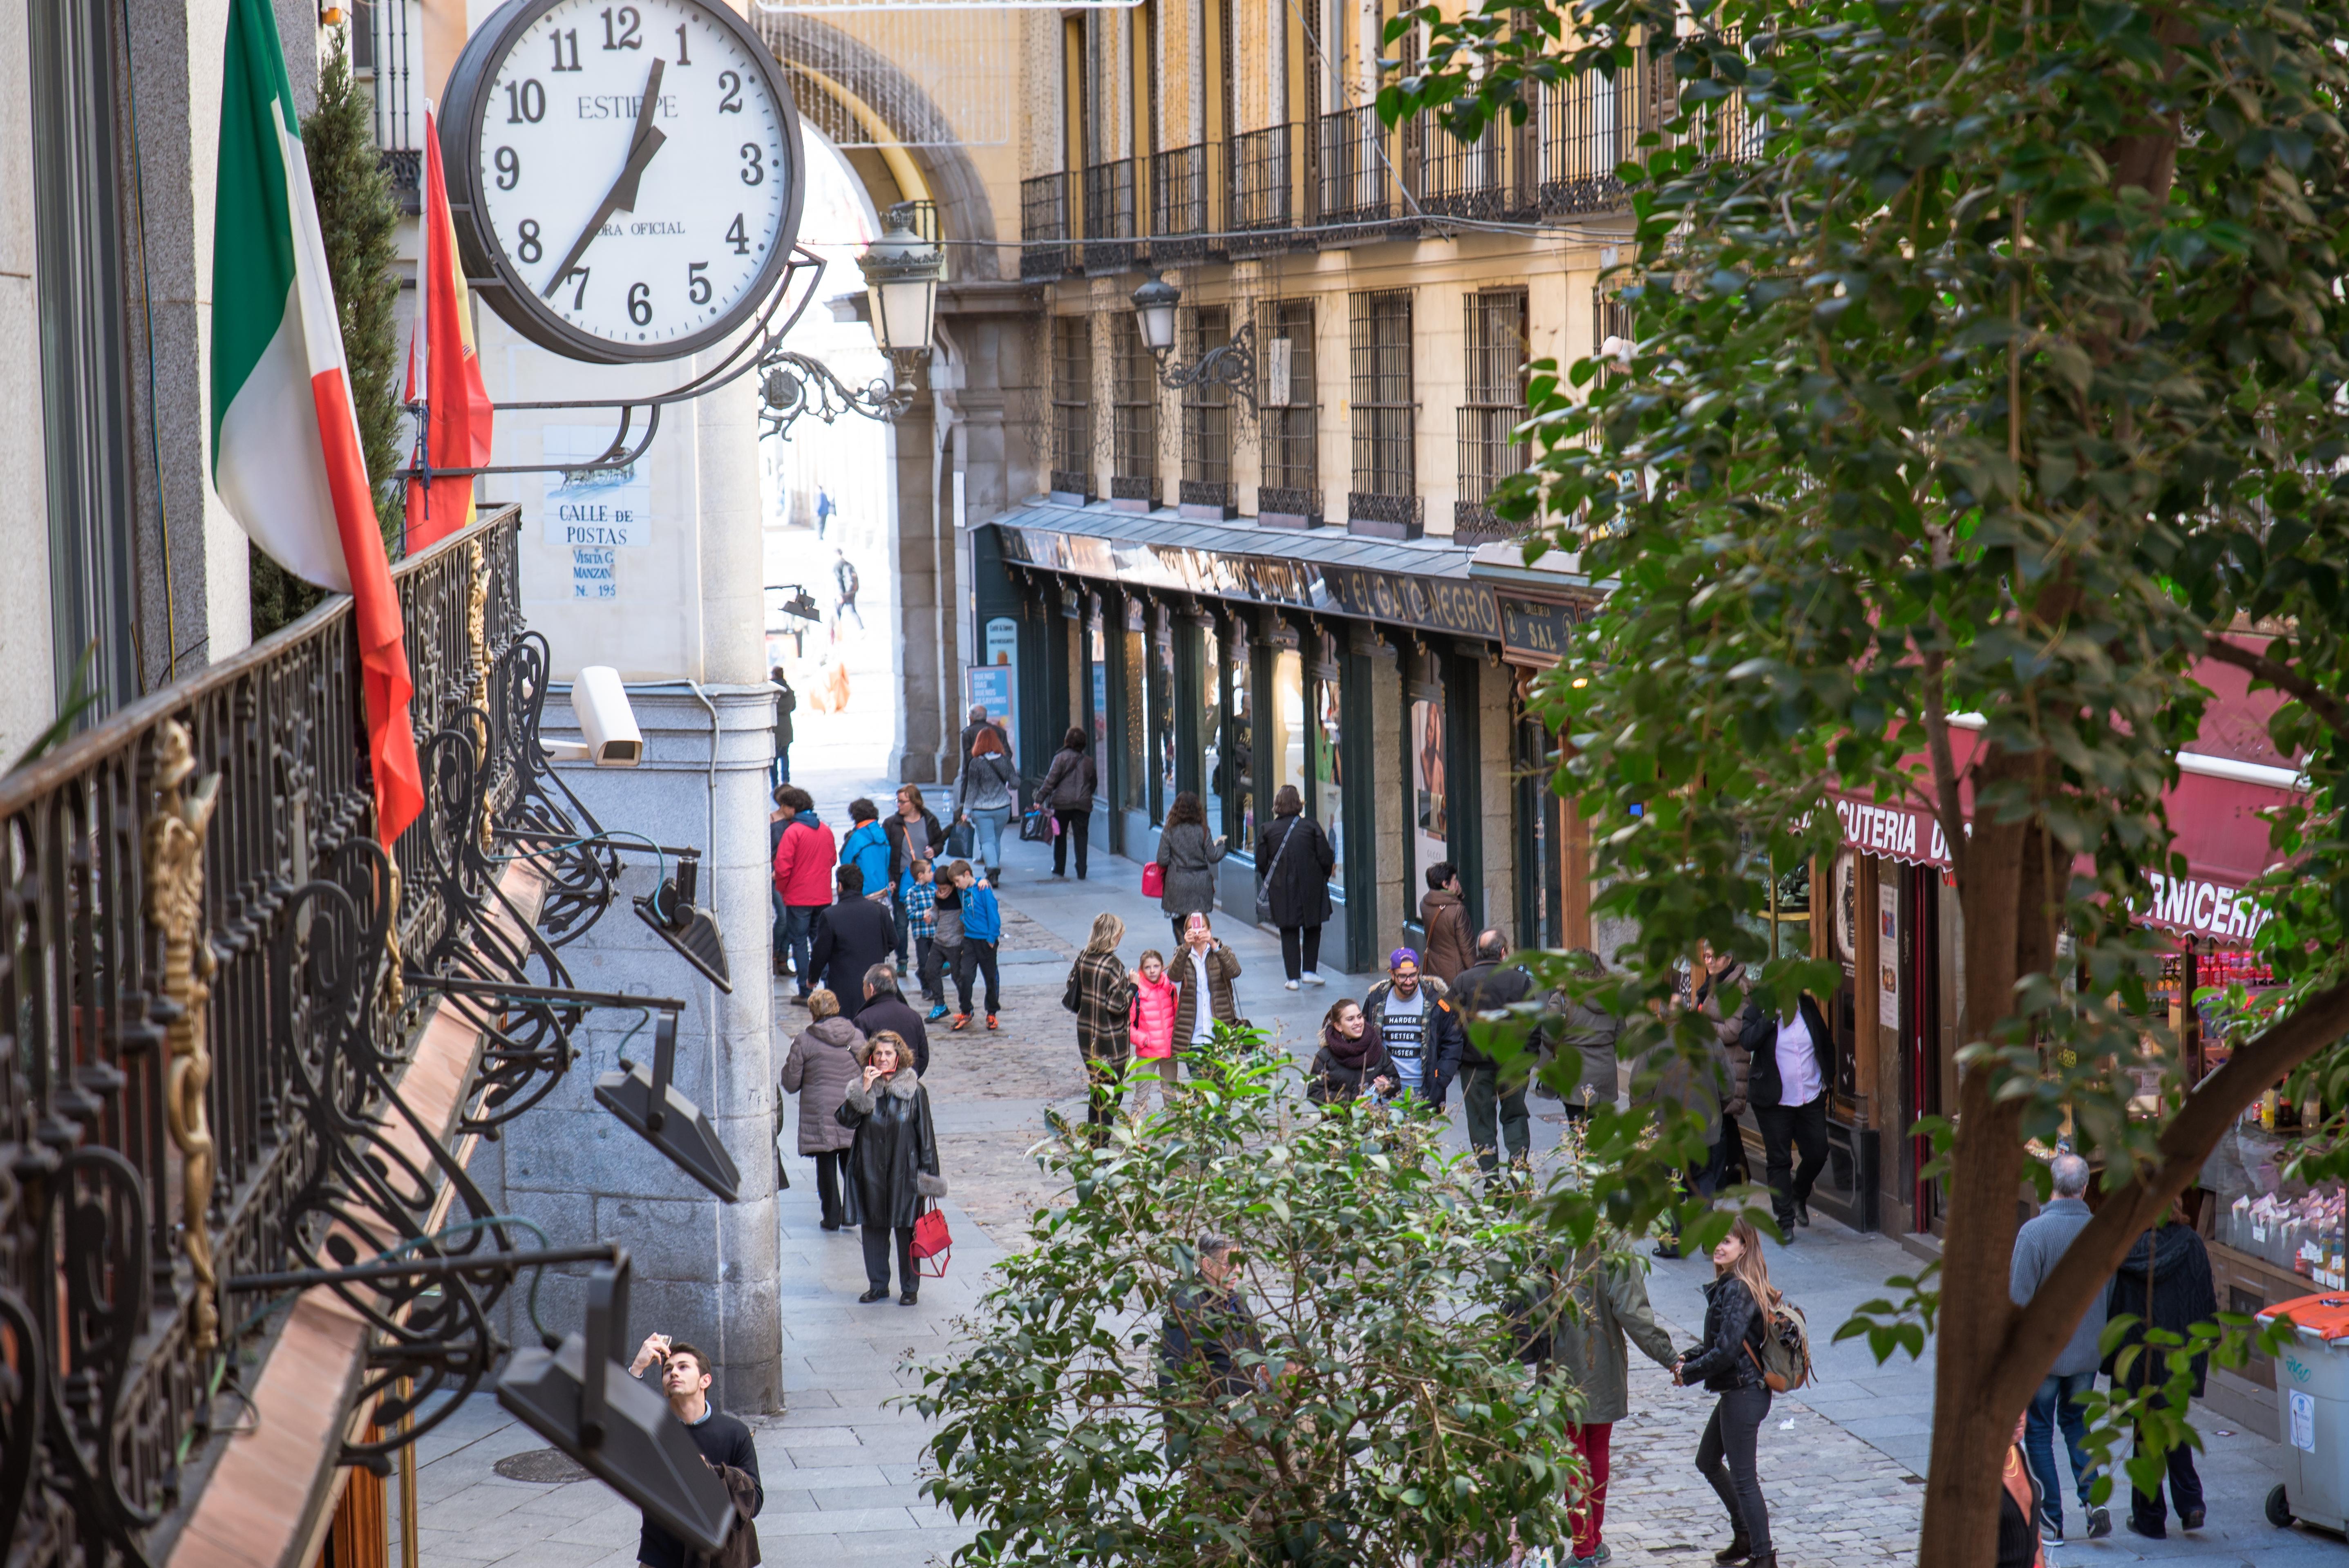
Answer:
(1988, 381)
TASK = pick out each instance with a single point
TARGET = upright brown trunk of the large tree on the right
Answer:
(2010, 933)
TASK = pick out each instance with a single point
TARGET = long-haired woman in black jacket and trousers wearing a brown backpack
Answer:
(1730, 1365)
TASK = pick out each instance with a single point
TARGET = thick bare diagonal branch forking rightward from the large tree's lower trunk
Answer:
(2096, 1252)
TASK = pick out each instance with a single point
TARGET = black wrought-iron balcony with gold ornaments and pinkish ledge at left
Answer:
(248, 1055)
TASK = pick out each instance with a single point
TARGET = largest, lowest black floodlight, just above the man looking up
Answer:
(581, 1400)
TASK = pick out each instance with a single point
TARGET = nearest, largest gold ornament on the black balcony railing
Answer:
(175, 872)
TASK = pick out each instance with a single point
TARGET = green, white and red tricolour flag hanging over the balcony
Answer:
(285, 438)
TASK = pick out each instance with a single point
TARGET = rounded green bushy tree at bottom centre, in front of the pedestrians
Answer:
(1385, 1414)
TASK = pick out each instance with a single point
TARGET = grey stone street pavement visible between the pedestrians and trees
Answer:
(1840, 1464)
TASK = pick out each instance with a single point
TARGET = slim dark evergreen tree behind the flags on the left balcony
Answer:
(358, 217)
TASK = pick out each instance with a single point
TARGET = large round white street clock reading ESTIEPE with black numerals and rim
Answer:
(626, 180)
